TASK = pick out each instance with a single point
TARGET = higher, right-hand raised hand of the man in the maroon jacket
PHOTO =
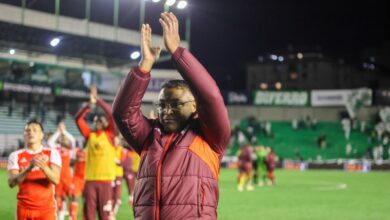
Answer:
(170, 26)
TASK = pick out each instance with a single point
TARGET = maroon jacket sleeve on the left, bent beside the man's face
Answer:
(127, 114)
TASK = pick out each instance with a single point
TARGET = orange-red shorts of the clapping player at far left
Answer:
(32, 214)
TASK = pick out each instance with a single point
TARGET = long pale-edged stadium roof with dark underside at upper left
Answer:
(92, 42)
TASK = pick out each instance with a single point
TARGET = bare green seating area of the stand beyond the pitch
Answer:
(288, 142)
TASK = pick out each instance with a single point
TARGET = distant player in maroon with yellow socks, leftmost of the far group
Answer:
(245, 168)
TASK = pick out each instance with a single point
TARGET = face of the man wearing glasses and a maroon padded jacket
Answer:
(175, 107)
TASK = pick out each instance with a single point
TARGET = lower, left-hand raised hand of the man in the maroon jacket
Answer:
(149, 54)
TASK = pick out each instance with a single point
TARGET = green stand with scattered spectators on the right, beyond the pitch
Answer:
(313, 140)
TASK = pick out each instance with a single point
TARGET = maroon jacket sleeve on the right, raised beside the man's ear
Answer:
(214, 120)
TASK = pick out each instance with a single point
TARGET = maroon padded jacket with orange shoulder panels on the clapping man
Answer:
(178, 174)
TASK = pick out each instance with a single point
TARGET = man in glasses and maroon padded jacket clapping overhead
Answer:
(180, 151)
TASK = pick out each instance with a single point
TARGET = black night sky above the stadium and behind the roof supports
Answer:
(227, 34)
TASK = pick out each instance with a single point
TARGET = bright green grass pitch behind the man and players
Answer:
(309, 195)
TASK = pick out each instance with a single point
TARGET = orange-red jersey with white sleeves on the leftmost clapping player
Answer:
(36, 191)
